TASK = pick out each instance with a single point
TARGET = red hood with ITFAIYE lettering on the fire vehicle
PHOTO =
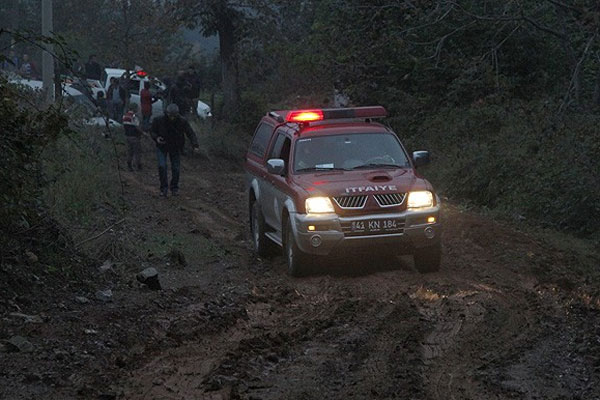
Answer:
(347, 183)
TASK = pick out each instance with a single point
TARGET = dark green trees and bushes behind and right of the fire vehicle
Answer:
(504, 94)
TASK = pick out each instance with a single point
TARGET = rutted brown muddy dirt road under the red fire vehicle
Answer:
(510, 315)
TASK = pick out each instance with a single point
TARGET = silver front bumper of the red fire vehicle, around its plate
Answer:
(331, 238)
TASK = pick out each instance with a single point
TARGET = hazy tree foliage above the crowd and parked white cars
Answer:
(121, 33)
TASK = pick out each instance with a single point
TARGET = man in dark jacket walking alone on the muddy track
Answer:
(169, 132)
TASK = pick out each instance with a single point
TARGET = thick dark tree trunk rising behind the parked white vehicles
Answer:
(229, 67)
